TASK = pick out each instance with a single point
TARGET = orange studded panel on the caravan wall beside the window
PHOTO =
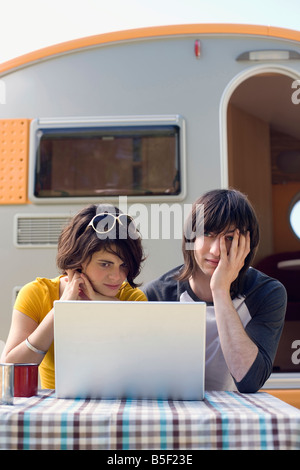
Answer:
(14, 145)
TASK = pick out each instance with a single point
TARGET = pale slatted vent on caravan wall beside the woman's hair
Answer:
(34, 231)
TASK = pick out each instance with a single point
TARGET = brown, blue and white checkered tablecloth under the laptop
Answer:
(223, 420)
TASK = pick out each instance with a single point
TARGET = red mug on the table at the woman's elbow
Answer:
(26, 380)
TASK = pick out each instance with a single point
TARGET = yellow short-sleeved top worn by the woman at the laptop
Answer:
(36, 300)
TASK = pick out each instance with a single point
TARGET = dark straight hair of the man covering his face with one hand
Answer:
(221, 208)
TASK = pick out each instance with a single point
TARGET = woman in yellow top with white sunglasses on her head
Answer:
(99, 256)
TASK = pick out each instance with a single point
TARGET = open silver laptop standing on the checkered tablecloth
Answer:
(153, 350)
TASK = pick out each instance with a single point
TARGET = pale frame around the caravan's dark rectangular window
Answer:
(107, 122)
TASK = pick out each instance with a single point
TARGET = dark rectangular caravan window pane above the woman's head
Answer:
(107, 161)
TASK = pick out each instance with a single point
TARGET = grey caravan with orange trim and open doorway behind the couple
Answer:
(151, 119)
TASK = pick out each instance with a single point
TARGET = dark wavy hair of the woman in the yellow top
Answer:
(78, 242)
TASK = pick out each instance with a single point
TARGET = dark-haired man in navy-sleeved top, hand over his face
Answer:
(245, 308)
